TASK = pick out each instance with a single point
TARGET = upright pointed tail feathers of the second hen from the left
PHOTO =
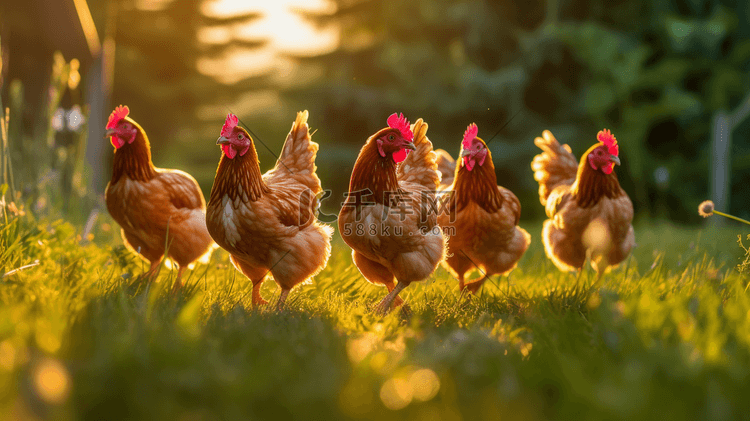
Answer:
(297, 160)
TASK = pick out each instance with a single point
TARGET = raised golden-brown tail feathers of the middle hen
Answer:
(419, 166)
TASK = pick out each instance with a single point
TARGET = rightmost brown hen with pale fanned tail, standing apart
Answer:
(590, 215)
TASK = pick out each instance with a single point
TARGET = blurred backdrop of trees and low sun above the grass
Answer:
(662, 75)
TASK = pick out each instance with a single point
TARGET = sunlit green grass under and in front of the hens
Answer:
(666, 336)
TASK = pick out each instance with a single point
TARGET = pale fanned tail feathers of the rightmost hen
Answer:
(555, 166)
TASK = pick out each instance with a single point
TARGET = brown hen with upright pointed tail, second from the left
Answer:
(268, 222)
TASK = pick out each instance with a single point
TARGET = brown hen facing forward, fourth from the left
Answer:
(479, 217)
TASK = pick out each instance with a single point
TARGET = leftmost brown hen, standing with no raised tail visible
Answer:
(150, 202)
